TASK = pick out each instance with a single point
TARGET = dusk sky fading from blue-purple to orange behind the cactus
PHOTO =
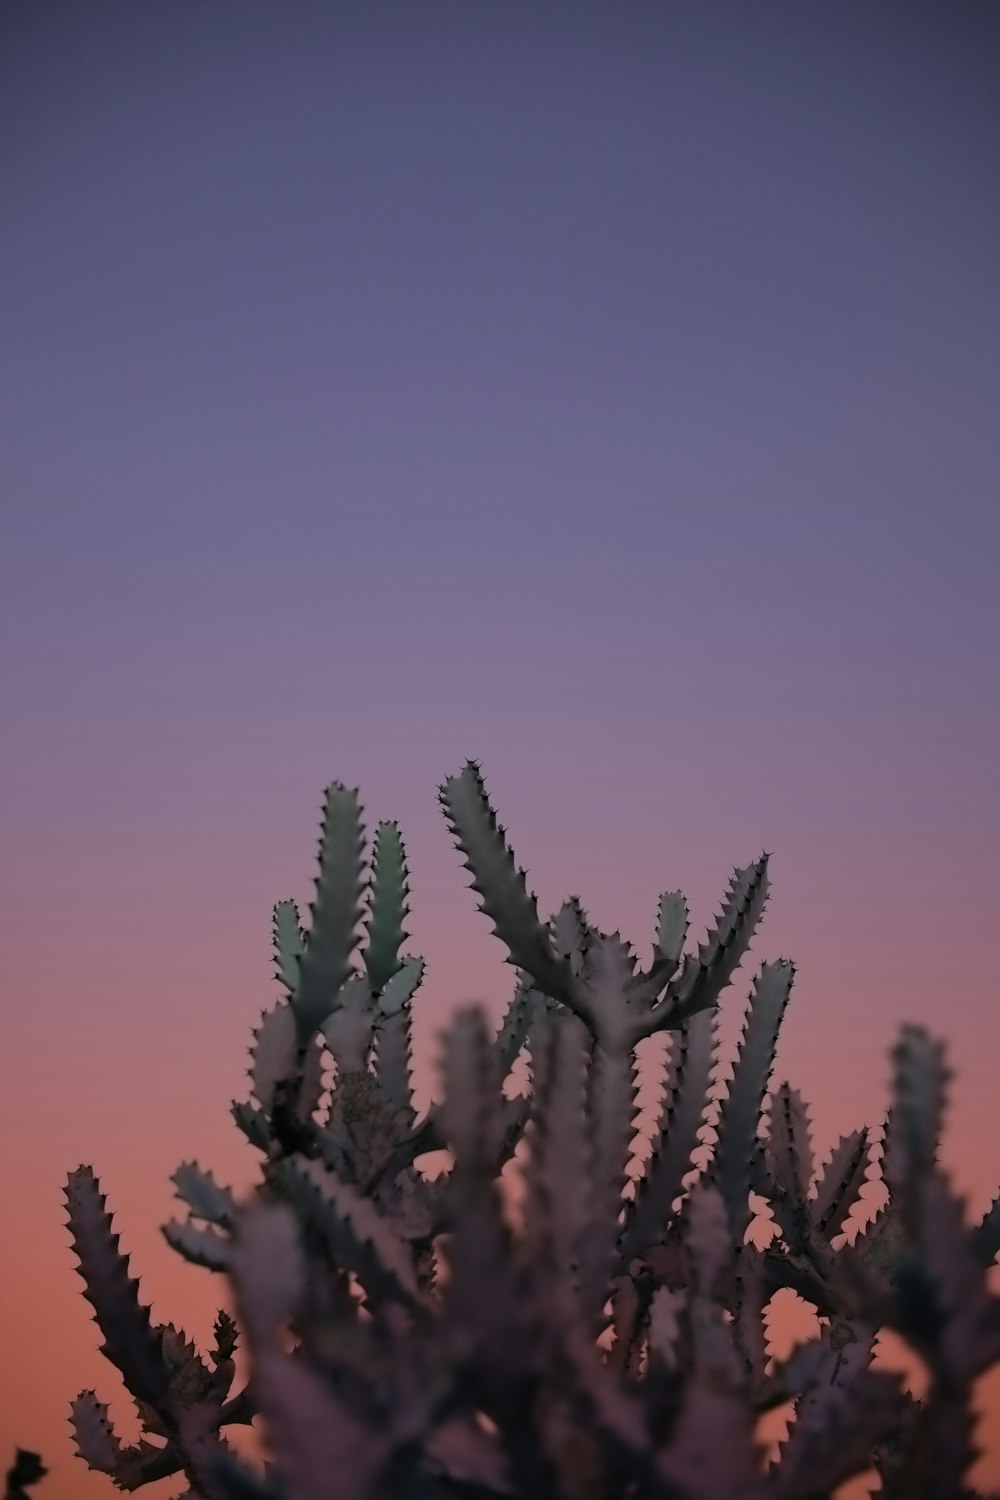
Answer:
(608, 392)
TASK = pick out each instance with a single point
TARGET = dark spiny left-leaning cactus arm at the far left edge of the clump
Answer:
(131, 1343)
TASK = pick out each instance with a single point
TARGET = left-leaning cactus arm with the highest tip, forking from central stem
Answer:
(501, 886)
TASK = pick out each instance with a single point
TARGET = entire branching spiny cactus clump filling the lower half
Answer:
(413, 1337)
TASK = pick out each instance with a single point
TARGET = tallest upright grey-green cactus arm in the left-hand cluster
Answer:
(337, 911)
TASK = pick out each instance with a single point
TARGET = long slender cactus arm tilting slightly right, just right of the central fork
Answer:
(741, 1109)
